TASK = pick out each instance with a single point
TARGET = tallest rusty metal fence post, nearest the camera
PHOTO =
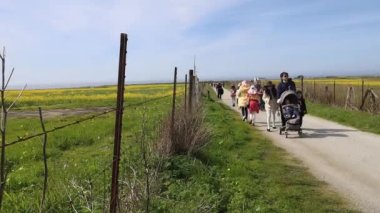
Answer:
(118, 123)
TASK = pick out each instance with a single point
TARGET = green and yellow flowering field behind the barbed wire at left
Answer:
(80, 156)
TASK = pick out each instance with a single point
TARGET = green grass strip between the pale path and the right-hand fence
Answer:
(360, 120)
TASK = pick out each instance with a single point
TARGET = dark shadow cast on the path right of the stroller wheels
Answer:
(324, 133)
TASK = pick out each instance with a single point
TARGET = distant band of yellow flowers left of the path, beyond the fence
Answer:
(98, 96)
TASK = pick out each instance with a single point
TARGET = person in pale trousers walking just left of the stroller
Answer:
(271, 106)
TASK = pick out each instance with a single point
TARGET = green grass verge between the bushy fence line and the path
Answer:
(241, 171)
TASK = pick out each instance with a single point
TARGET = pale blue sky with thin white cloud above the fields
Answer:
(77, 41)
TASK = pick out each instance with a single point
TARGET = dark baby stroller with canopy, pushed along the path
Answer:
(290, 112)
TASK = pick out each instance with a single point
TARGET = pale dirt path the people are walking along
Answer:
(346, 158)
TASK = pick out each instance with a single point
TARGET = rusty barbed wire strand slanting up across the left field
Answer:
(22, 139)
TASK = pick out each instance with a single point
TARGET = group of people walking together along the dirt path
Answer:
(252, 97)
